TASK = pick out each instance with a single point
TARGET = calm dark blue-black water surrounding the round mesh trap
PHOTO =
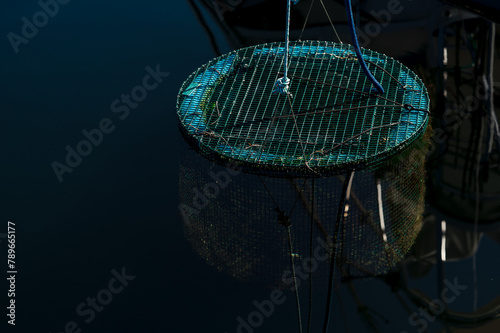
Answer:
(119, 207)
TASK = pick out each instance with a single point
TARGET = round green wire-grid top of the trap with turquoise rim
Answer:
(330, 122)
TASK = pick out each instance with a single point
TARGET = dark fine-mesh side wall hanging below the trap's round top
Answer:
(232, 223)
